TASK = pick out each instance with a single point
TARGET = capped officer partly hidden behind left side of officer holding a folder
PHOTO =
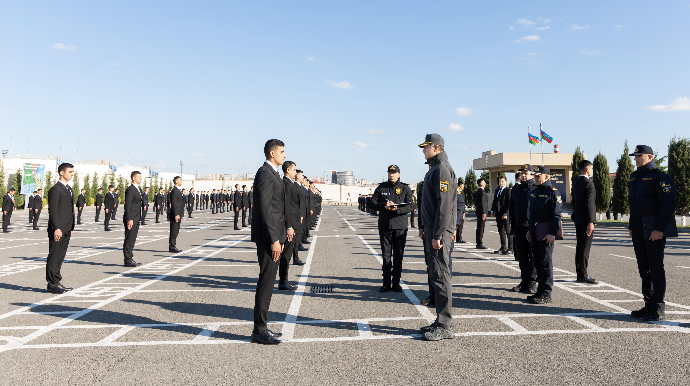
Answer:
(519, 223)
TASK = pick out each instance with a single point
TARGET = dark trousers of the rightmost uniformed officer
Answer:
(650, 263)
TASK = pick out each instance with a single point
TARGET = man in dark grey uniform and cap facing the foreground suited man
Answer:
(437, 226)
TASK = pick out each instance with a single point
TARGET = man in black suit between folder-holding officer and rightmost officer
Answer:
(584, 215)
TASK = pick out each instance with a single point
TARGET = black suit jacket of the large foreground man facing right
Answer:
(269, 219)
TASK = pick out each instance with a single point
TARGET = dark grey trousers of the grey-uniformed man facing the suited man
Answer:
(440, 276)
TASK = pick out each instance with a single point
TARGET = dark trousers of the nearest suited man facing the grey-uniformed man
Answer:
(264, 287)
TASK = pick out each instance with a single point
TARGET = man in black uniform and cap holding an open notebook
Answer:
(392, 225)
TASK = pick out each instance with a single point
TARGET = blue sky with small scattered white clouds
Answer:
(346, 85)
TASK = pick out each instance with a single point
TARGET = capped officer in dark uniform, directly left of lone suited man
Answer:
(544, 207)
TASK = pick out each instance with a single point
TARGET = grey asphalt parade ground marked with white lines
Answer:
(186, 318)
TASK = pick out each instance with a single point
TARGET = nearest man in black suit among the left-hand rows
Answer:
(60, 227)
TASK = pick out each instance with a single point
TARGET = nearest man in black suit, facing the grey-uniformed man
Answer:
(269, 232)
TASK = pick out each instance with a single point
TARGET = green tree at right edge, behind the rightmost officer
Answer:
(679, 170)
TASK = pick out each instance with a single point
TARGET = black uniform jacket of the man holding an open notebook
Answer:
(399, 193)
